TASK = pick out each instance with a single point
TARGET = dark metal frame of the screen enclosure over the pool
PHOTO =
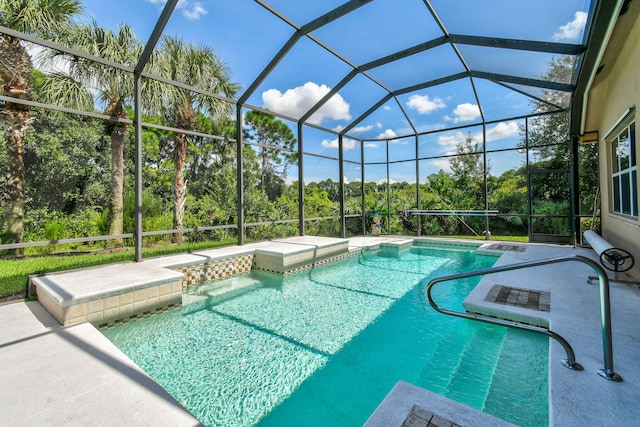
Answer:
(603, 15)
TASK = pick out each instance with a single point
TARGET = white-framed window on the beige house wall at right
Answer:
(624, 172)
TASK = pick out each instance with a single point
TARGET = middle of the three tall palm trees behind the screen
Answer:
(113, 89)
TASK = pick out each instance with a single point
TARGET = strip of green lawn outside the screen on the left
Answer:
(14, 273)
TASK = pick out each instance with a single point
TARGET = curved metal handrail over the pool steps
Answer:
(570, 361)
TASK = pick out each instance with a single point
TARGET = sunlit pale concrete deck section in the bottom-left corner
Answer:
(73, 376)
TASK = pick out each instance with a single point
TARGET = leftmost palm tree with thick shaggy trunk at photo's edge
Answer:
(43, 18)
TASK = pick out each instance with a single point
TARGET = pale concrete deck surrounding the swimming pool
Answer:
(74, 376)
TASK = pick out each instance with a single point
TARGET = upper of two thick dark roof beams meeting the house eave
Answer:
(528, 45)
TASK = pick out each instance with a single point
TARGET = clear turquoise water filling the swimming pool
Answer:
(324, 346)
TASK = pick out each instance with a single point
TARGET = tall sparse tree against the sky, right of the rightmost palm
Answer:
(275, 139)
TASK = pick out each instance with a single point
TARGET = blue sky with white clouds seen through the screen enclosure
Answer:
(246, 36)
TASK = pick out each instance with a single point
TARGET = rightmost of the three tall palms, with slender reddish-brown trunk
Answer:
(197, 66)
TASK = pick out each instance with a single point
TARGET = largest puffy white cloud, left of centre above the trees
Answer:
(297, 101)
